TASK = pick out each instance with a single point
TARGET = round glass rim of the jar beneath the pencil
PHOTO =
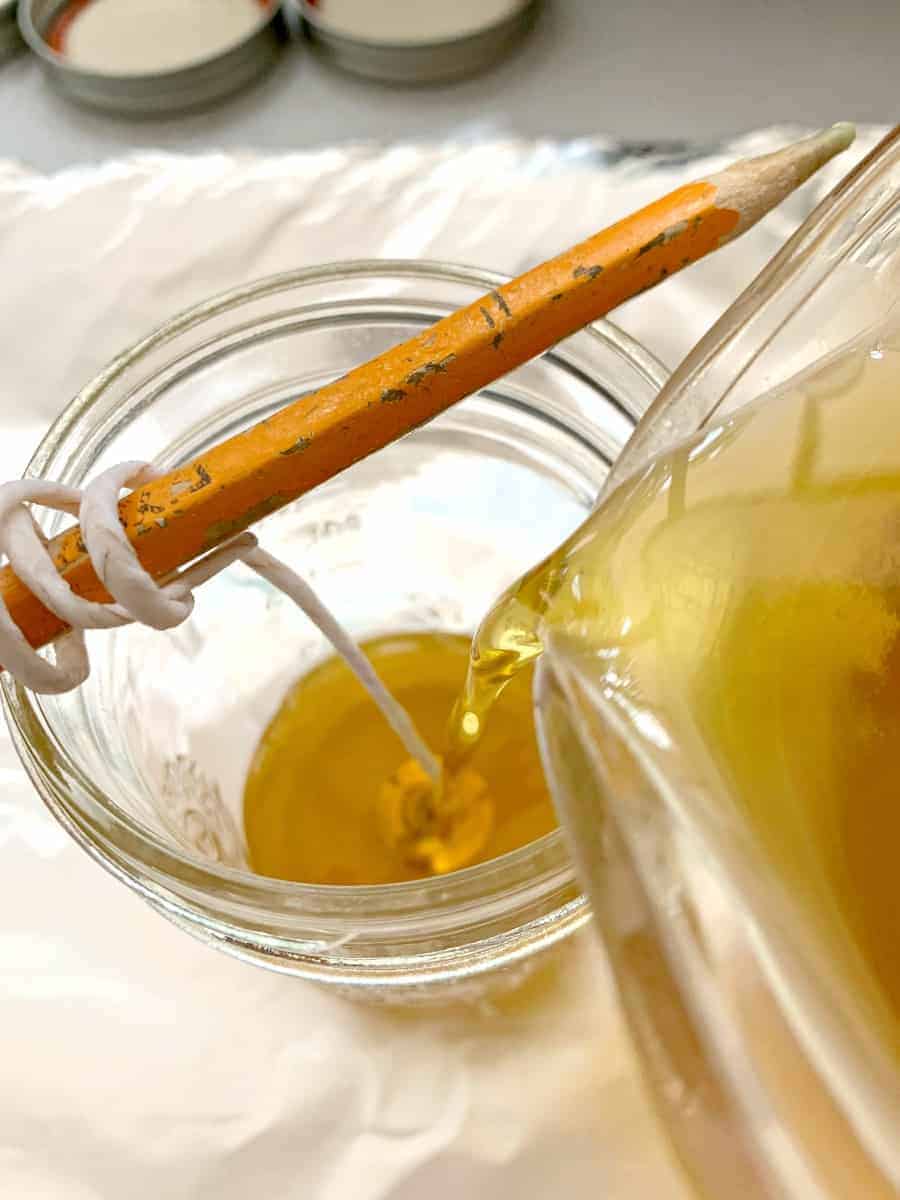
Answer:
(157, 860)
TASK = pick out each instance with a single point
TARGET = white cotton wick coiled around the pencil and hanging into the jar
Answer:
(140, 598)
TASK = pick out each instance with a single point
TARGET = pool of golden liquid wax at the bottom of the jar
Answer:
(314, 796)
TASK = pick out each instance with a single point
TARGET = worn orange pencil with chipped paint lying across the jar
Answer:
(194, 509)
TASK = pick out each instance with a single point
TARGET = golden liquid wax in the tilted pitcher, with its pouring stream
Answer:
(745, 593)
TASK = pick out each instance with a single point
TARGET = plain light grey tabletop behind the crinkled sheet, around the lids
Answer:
(646, 70)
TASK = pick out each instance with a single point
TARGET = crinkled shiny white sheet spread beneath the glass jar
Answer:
(137, 1063)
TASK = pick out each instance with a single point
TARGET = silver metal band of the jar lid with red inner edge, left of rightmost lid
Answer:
(154, 93)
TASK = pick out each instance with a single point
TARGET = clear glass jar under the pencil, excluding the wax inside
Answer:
(145, 764)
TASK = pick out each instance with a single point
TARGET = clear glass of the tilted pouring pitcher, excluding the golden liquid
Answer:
(775, 1077)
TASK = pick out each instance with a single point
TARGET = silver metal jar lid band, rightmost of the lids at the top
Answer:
(417, 57)
